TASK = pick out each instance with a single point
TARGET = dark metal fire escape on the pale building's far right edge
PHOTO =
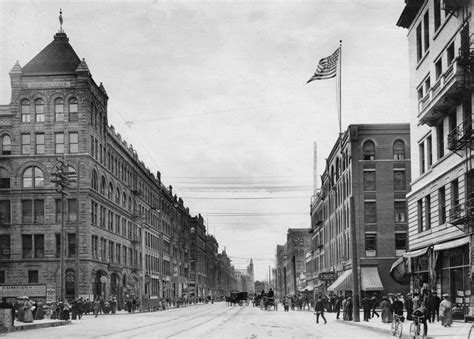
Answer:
(460, 138)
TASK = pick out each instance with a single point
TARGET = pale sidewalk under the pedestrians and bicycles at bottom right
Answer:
(459, 329)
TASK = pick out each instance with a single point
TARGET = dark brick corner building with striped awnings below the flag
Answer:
(370, 166)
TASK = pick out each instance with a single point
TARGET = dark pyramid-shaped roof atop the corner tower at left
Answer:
(56, 58)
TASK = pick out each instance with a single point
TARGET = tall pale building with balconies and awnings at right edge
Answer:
(440, 203)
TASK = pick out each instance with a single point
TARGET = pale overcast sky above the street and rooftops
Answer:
(213, 94)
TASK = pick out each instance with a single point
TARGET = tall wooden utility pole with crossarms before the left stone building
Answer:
(61, 177)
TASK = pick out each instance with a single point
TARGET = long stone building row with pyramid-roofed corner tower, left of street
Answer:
(116, 230)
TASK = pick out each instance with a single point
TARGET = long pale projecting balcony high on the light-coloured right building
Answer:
(444, 95)
